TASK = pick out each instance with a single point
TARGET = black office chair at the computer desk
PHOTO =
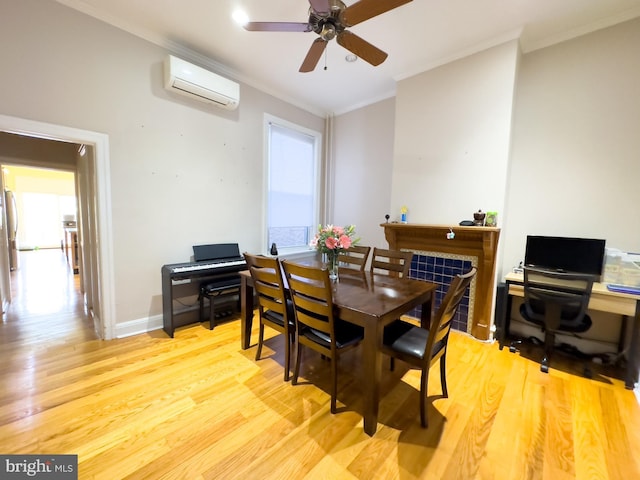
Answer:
(557, 302)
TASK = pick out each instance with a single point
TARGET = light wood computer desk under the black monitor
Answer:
(601, 299)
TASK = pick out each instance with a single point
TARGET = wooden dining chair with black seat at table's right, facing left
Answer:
(421, 347)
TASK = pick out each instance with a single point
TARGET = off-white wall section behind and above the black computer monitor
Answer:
(575, 167)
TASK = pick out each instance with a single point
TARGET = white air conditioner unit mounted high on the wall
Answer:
(200, 84)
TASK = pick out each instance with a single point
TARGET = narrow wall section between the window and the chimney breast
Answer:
(362, 167)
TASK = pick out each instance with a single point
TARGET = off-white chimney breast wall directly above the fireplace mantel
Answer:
(452, 131)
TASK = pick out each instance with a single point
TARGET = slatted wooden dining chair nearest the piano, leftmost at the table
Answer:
(275, 310)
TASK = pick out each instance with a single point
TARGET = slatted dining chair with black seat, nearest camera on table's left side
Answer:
(317, 326)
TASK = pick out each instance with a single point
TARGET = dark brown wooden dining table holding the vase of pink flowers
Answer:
(371, 301)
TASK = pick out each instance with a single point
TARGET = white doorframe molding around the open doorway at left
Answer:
(105, 312)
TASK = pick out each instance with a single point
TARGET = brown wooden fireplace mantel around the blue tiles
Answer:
(480, 242)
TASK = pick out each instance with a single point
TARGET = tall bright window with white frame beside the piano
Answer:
(293, 167)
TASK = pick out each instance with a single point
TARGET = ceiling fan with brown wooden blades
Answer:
(330, 19)
